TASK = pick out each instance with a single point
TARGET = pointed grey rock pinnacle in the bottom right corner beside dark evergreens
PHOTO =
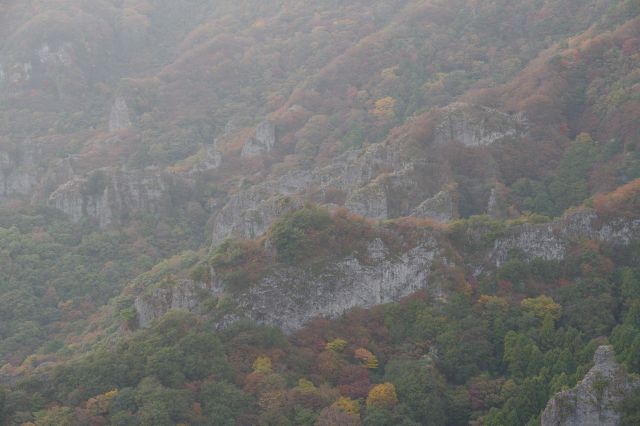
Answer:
(596, 399)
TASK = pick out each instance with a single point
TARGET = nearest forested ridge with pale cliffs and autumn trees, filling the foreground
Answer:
(516, 320)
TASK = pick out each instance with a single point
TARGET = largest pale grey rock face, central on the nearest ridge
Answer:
(289, 298)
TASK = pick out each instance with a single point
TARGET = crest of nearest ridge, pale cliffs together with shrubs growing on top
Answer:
(271, 282)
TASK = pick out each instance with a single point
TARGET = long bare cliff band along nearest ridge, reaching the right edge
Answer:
(290, 296)
